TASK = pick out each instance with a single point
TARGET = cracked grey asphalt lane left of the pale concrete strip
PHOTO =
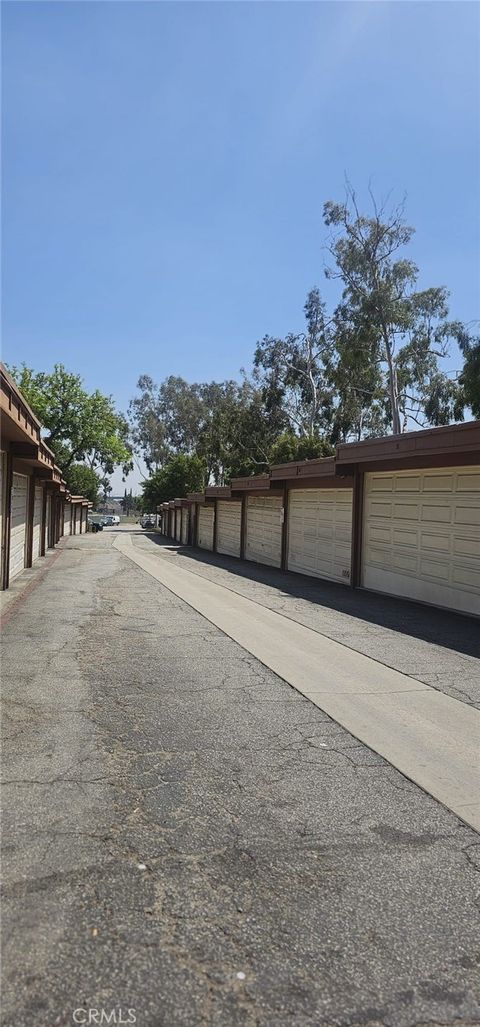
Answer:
(175, 816)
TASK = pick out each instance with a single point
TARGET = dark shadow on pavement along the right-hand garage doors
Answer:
(444, 628)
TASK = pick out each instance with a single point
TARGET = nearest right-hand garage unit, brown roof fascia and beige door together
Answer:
(418, 520)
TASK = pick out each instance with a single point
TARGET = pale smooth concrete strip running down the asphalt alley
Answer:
(432, 739)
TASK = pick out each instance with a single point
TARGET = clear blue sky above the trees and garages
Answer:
(165, 168)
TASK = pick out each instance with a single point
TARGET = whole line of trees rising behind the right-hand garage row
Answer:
(372, 366)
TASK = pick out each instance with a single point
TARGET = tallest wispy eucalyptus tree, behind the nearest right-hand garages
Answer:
(389, 336)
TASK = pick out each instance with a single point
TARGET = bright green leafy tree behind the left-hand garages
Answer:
(81, 427)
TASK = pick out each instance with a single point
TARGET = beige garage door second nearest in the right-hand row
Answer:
(320, 534)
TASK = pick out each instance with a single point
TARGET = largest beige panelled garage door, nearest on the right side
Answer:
(422, 536)
